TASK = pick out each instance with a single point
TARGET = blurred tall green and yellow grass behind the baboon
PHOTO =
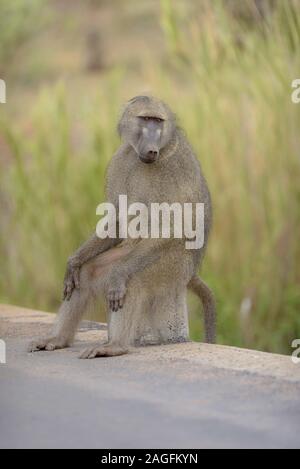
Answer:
(227, 73)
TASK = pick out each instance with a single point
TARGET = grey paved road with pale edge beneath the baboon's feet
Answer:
(154, 398)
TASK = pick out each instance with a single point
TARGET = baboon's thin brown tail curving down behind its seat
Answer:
(209, 306)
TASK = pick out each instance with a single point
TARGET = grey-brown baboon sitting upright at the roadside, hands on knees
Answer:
(144, 280)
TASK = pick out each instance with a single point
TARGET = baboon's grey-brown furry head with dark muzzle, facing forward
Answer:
(147, 125)
